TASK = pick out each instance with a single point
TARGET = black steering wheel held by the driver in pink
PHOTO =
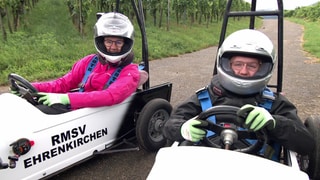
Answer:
(23, 87)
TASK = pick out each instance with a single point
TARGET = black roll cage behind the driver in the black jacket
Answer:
(253, 13)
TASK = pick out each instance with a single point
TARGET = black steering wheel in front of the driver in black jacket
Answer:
(228, 115)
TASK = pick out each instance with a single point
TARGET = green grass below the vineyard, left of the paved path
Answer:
(48, 44)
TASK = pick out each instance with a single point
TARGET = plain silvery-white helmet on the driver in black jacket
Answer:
(250, 43)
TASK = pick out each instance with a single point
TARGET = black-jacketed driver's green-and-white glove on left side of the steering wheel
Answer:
(192, 133)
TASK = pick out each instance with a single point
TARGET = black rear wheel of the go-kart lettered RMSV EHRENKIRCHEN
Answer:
(150, 123)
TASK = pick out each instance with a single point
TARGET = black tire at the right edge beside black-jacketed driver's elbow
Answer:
(313, 125)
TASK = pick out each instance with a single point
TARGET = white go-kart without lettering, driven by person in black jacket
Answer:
(211, 159)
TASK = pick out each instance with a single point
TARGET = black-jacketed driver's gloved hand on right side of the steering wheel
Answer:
(255, 118)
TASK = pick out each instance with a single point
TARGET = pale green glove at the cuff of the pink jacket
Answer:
(53, 98)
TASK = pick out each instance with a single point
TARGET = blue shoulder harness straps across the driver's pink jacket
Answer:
(89, 69)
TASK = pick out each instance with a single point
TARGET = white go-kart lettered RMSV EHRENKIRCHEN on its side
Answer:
(36, 145)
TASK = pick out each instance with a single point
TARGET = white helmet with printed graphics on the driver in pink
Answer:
(113, 24)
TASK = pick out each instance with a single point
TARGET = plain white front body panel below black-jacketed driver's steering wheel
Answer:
(194, 162)
